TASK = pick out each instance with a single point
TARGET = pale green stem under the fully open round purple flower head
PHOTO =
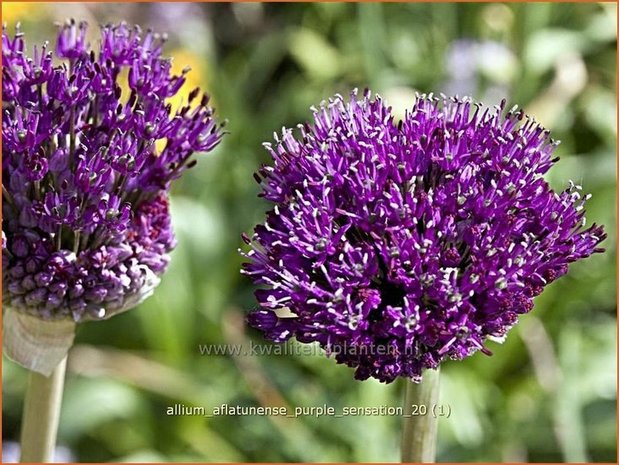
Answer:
(420, 424)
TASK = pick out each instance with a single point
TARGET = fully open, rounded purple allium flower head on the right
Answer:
(398, 244)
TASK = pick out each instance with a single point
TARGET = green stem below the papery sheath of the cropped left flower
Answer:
(41, 415)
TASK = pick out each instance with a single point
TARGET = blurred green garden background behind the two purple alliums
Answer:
(547, 394)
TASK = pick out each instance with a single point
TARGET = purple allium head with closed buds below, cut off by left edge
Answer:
(87, 167)
